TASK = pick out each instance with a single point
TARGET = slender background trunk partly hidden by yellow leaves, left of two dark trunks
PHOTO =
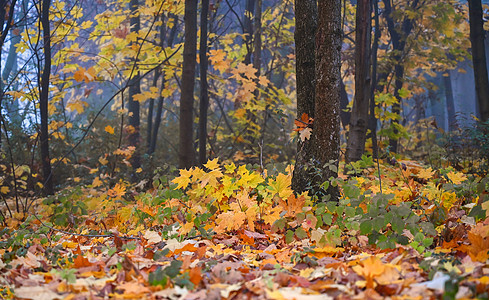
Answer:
(134, 138)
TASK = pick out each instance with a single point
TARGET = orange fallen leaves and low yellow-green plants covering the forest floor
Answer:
(231, 232)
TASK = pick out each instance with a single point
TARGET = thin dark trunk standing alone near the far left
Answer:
(44, 100)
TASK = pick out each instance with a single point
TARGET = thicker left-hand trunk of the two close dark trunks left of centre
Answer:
(186, 150)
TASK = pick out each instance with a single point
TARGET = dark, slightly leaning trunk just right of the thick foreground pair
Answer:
(359, 115)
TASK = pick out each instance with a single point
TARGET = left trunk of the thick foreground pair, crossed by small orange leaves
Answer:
(305, 37)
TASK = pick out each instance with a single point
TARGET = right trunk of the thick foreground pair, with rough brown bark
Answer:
(326, 132)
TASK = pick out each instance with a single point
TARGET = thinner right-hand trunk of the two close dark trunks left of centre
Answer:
(204, 95)
